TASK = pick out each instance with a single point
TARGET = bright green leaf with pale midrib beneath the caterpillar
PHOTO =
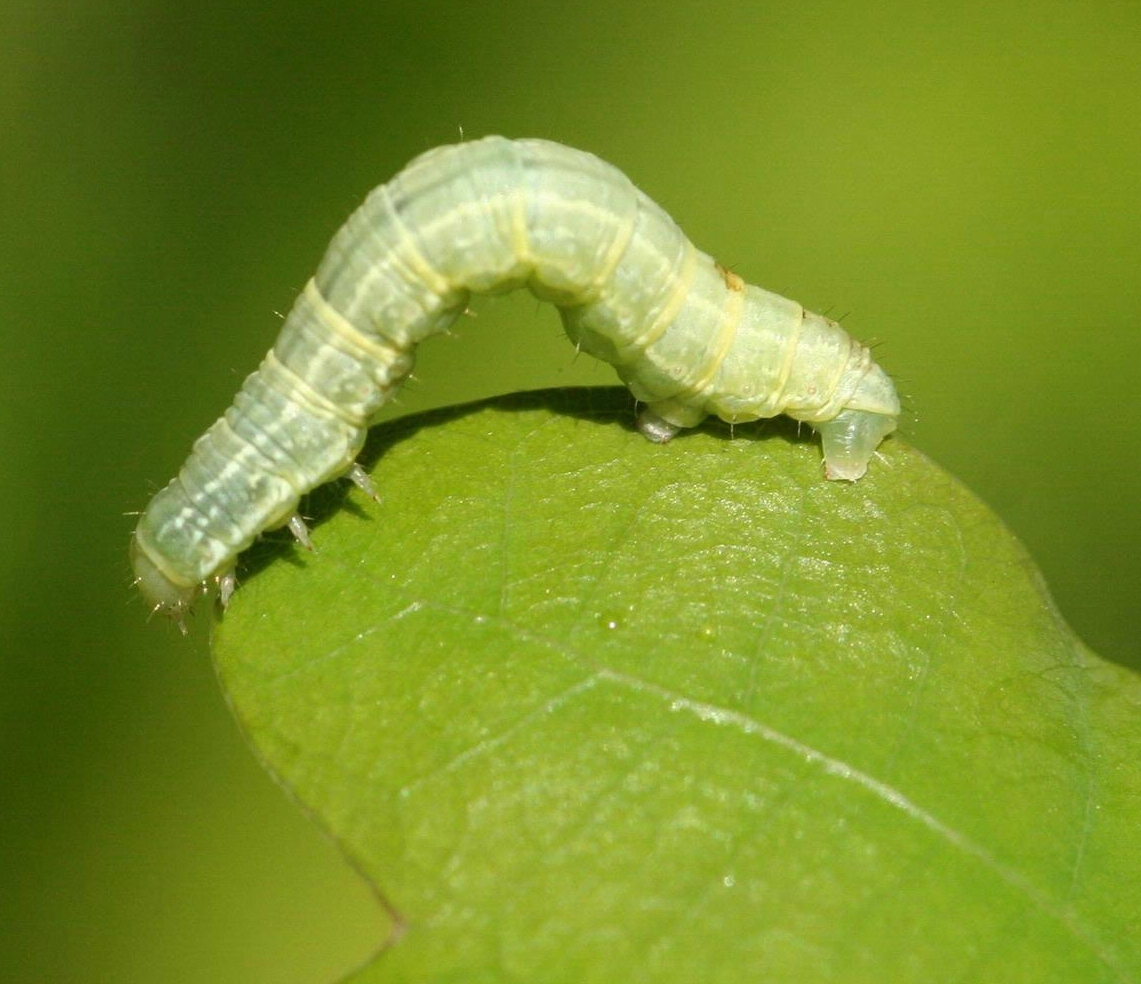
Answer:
(587, 709)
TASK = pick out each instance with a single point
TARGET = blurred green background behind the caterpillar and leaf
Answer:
(964, 185)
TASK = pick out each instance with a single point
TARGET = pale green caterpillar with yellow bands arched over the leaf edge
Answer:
(689, 337)
